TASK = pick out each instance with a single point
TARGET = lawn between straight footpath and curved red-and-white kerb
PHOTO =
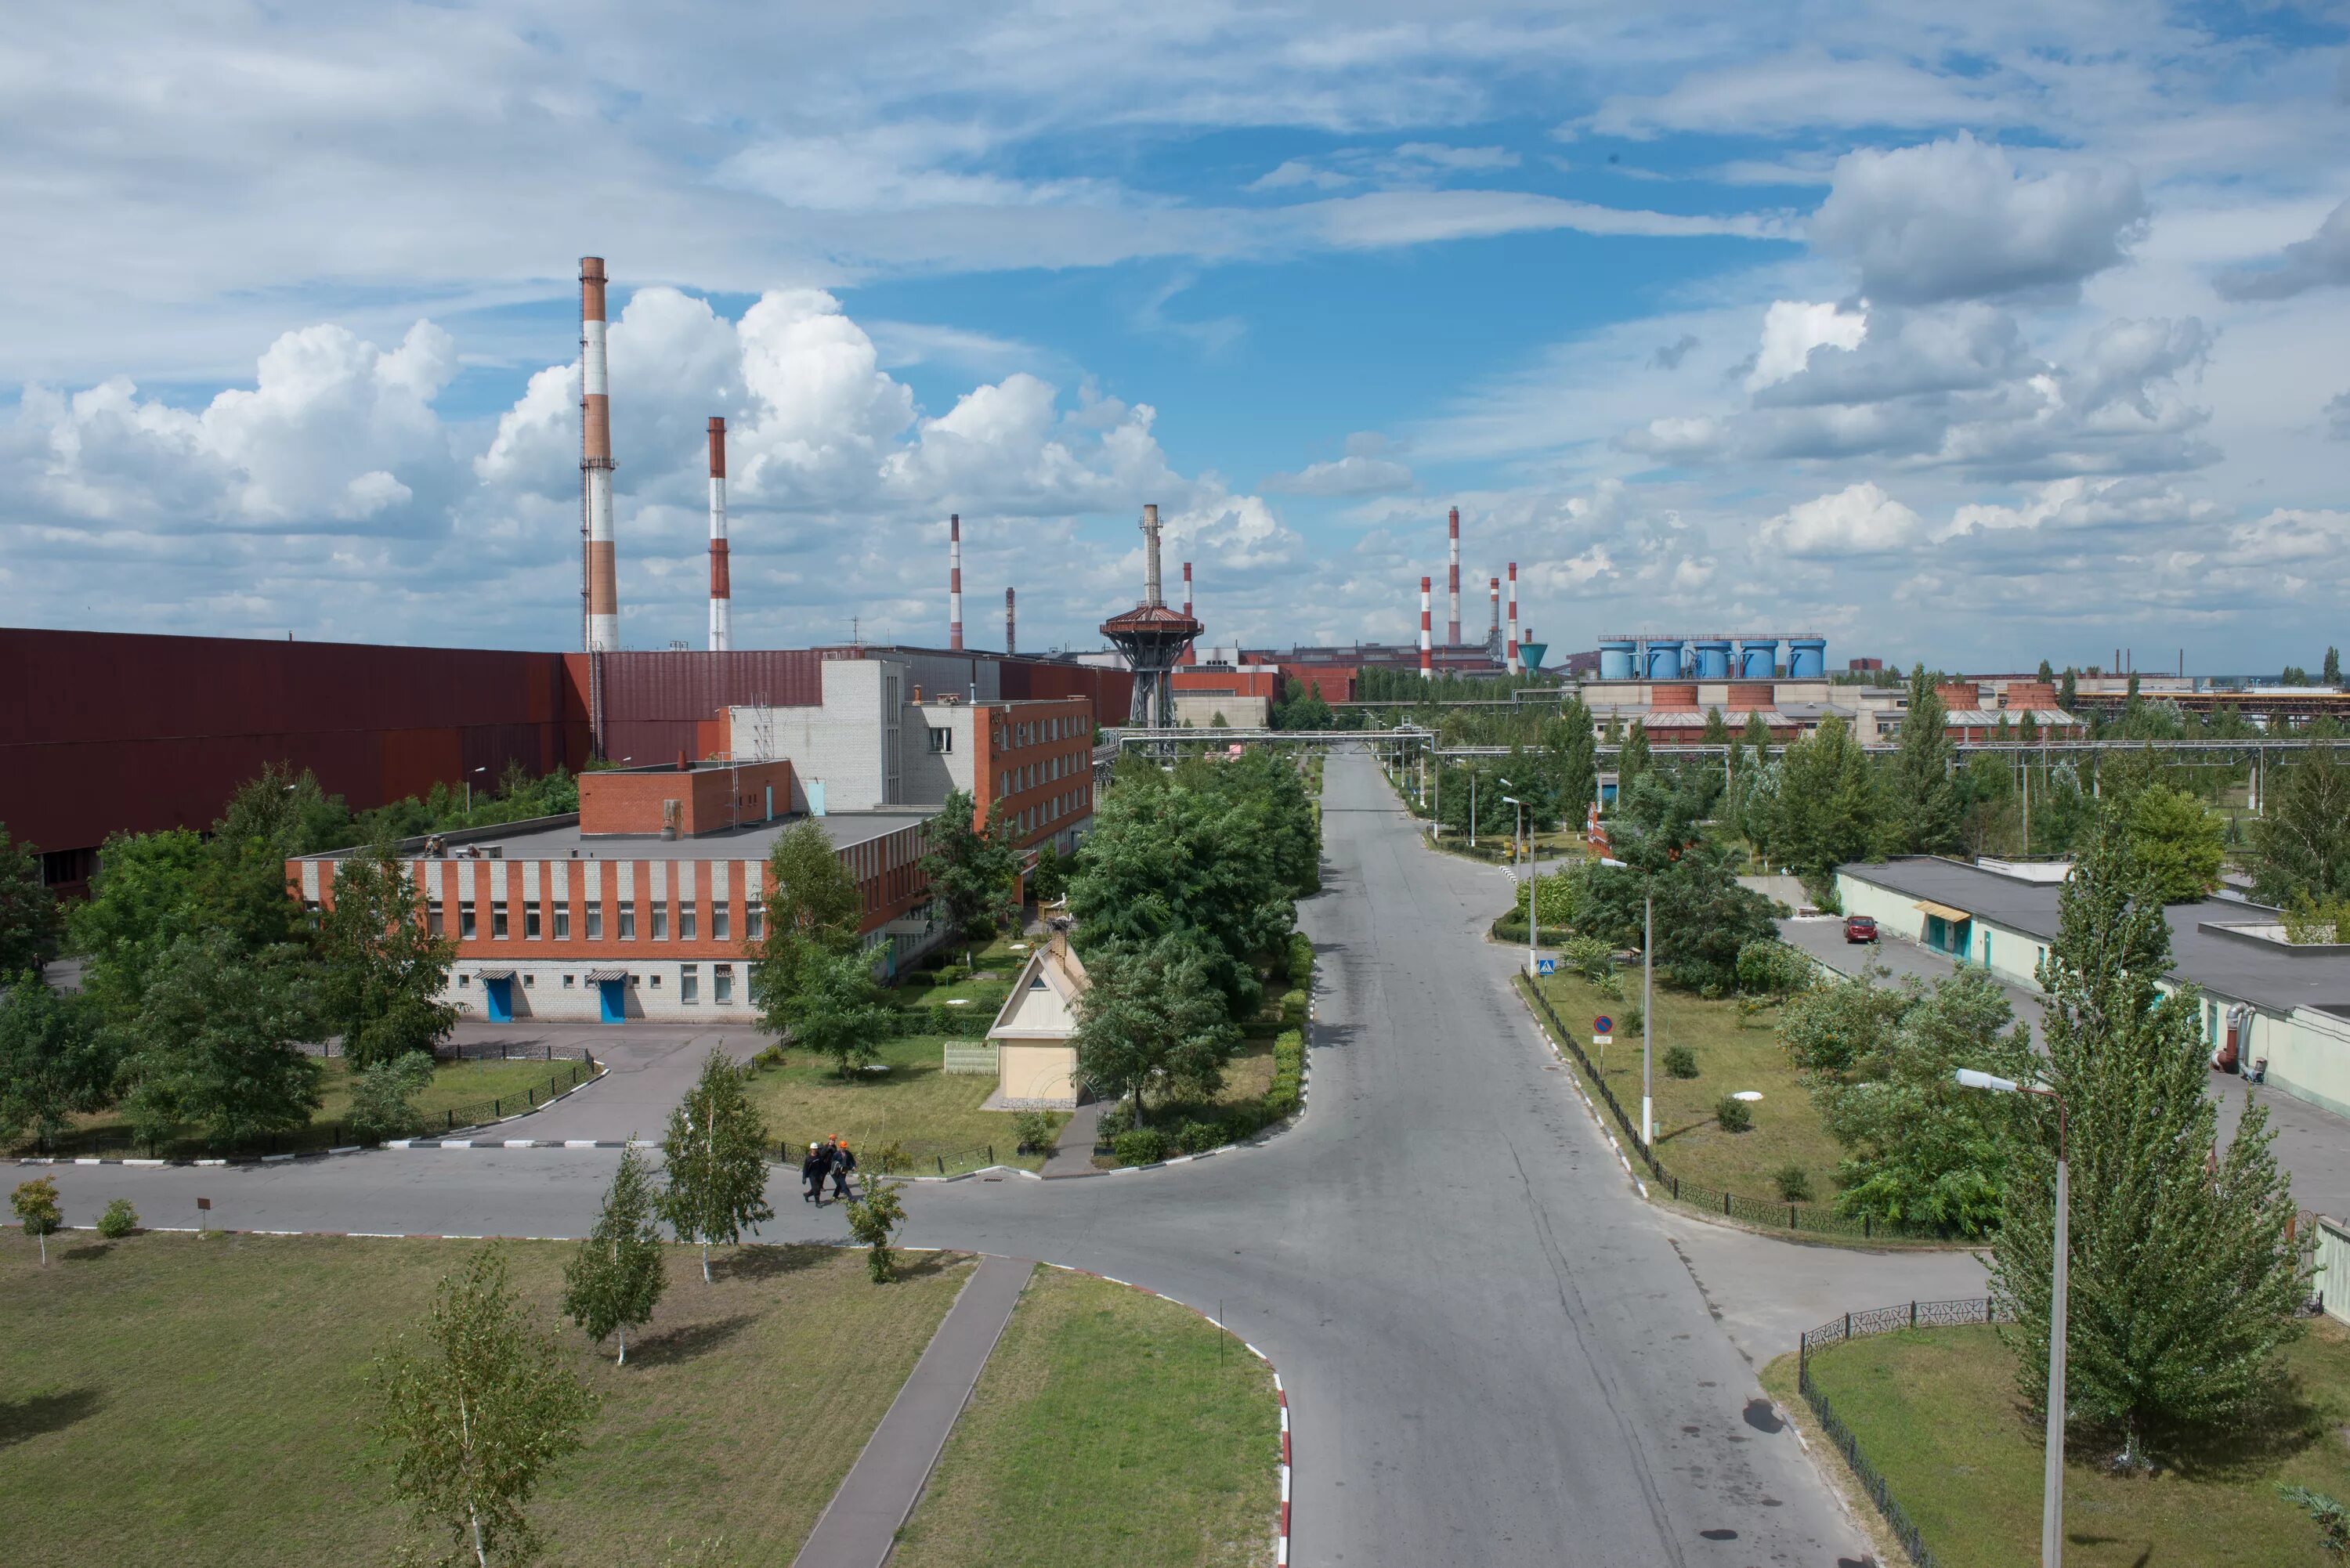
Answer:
(1108, 1428)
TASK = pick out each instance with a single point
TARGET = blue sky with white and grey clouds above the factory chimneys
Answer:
(1959, 335)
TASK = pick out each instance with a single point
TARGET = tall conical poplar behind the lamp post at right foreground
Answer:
(2182, 1271)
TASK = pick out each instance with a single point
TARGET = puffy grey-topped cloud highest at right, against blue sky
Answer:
(1954, 220)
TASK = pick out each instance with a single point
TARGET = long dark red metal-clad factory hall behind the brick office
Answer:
(119, 732)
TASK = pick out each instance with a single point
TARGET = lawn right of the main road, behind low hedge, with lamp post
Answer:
(1731, 1057)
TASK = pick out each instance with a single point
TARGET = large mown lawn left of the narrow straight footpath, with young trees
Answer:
(177, 1400)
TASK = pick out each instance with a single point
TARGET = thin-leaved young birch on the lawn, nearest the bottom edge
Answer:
(478, 1416)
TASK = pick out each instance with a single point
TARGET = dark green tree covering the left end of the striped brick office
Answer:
(382, 974)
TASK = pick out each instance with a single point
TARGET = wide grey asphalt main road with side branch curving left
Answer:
(1496, 1353)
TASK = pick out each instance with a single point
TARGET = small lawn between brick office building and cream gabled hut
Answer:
(915, 1104)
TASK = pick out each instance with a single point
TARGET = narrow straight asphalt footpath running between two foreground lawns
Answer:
(880, 1492)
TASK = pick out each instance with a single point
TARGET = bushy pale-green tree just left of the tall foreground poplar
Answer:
(1919, 1148)
